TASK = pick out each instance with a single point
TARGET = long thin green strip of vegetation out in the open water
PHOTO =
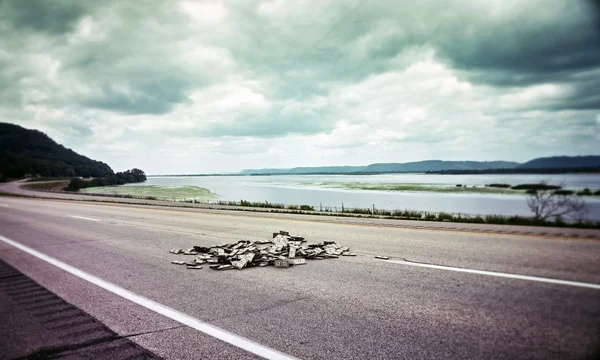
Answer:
(413, 187)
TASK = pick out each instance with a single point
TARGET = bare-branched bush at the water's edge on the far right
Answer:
(546, 204)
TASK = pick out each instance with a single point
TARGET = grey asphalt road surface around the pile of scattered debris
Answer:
(347, 308)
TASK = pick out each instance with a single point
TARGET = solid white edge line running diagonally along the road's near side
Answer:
(173, 314)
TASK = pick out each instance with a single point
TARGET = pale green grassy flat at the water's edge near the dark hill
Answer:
(179, 193)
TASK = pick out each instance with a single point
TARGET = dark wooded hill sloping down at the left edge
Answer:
(24, 151)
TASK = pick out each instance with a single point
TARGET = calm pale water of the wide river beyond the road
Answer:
(294, 190)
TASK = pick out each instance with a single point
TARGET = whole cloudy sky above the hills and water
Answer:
(218, 86)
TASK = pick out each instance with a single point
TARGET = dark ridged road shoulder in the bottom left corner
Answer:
(39, 324)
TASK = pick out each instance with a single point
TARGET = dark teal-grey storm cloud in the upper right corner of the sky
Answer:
(529, 48)
